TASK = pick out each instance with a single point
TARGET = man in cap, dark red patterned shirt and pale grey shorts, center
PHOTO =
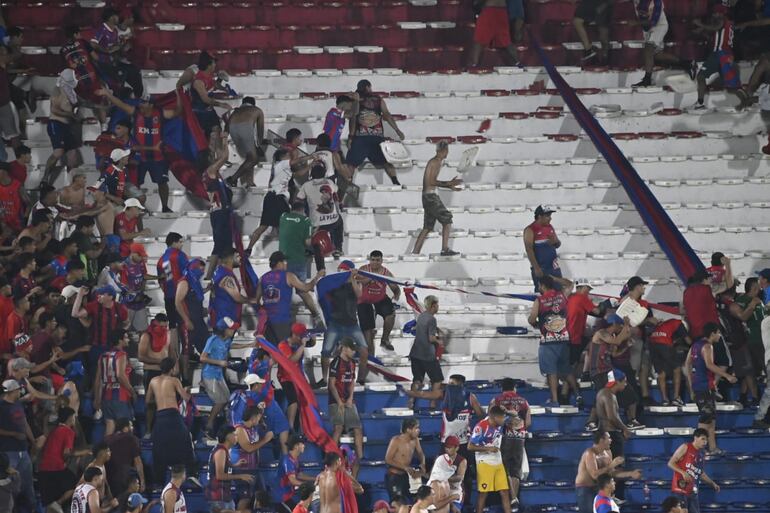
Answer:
(342, 409)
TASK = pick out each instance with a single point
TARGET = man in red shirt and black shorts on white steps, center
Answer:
(374, 301)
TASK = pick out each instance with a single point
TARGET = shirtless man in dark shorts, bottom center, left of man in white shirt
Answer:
(398, 458)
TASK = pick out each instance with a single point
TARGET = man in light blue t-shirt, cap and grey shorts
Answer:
(214, 360)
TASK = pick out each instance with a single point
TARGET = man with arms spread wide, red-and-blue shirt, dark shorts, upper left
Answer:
(149, 140)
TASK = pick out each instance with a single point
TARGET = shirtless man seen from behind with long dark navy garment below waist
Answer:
(171, 441)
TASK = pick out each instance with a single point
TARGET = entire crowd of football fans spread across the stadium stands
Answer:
(73, 308)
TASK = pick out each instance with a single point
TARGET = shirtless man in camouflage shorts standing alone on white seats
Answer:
(431, 202)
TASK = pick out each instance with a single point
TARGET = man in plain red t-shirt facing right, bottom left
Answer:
(56, 481)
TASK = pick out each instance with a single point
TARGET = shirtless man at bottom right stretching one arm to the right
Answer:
(595, 461)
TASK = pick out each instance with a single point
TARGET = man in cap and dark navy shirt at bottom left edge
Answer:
(15, 441)
